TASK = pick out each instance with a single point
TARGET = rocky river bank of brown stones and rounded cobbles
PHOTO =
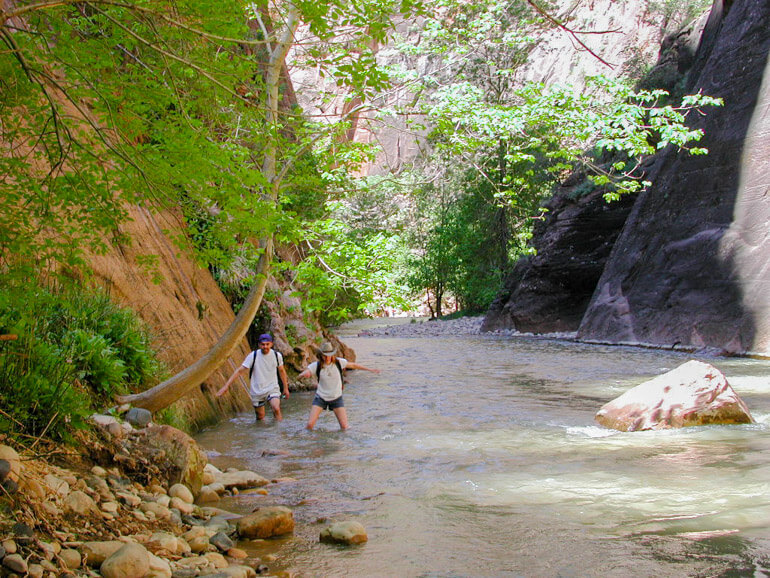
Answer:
(131, 503)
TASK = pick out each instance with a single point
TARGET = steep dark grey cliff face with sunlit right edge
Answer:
(692, 266)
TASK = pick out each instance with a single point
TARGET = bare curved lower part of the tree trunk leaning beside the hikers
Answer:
(167, 392)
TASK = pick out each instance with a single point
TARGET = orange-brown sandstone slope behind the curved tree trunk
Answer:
(183, 306)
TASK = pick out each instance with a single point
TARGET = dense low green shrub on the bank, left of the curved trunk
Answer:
(75, 349)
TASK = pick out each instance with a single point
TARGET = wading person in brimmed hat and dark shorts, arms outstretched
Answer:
(328, 372)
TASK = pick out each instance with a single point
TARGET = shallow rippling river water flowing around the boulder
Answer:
(478, 455)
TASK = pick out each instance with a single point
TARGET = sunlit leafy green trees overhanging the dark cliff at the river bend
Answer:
(497, 146)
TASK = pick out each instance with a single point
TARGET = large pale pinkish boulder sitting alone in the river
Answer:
(695, 393)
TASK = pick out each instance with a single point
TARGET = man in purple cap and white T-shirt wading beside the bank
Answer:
(265, 366)
